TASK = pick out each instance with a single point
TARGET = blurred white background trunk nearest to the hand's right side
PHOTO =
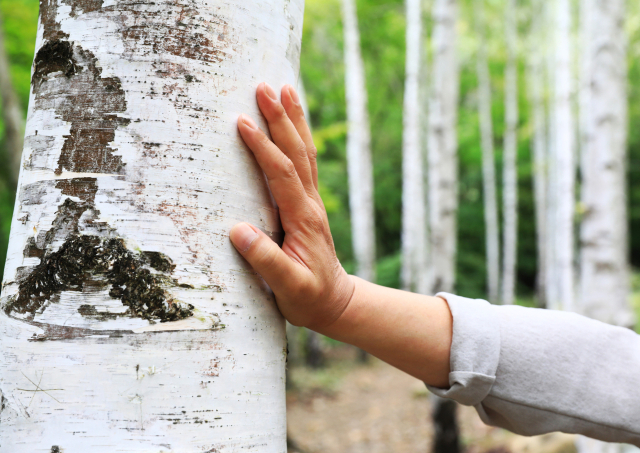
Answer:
(359, 164)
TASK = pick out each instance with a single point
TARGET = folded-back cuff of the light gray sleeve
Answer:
(475, 350)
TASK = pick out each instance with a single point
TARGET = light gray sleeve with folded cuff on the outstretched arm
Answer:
(535, 371)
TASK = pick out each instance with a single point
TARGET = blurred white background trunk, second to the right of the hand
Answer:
(415, 269)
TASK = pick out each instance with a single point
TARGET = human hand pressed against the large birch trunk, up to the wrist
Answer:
(311, 287)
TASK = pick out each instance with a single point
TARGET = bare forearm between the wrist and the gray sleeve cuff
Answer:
(409, 331)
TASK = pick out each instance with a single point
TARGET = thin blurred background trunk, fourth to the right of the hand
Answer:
(488, 156)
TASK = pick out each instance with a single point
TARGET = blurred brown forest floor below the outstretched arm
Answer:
(348, 407)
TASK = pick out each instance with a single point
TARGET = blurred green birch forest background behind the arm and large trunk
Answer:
(486, 147)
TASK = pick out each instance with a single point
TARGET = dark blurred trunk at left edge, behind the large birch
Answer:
(12, 114)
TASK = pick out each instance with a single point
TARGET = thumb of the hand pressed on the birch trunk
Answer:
(266, 257)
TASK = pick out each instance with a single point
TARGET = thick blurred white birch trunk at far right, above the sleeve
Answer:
(605, 285)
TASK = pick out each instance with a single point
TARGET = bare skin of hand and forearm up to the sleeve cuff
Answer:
(409, 331)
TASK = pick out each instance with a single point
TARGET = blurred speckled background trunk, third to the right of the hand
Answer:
(442, 146)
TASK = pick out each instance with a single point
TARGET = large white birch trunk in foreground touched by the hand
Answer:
(129, 322)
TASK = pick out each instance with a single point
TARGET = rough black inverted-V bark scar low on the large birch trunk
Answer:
(84, 262)
